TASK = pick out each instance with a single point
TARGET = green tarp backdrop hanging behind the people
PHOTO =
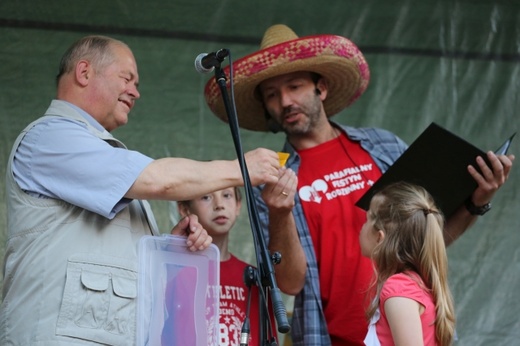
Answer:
(453, 62)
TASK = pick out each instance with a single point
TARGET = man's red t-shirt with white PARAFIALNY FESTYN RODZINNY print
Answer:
(331, 179)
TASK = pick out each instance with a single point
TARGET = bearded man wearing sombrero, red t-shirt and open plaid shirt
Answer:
(295, 84)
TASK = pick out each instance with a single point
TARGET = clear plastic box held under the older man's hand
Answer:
(178, 293)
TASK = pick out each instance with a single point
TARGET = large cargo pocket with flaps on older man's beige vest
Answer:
(99, 300)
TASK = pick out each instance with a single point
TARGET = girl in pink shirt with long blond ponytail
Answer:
(411, 303)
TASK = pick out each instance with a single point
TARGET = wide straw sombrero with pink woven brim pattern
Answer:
(335, 58)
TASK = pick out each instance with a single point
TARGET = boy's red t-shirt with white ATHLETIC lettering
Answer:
(233, 304)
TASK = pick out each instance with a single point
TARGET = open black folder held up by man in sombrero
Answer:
(436, 160)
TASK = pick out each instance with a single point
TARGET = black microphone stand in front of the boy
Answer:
(266, 277)
